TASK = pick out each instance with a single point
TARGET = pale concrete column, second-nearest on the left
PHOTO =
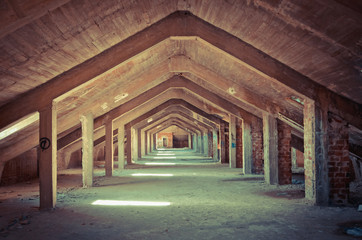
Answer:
(87, 149)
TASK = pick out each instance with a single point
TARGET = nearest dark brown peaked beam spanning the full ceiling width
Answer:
(183, 24)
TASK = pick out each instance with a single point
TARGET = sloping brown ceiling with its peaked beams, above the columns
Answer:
(96, 56)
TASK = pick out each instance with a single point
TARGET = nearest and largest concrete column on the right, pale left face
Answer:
(315, 153)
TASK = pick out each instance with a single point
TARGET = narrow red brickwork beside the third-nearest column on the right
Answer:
(257, 140)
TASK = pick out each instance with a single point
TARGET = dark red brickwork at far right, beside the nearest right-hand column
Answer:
(339, 164)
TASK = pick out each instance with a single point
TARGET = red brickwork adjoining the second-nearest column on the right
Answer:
(284, 153)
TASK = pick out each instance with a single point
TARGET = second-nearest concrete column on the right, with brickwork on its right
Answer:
(270, 135)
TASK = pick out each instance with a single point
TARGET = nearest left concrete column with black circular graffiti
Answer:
(48, 157)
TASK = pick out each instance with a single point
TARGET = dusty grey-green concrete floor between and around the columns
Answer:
(208, 201)
